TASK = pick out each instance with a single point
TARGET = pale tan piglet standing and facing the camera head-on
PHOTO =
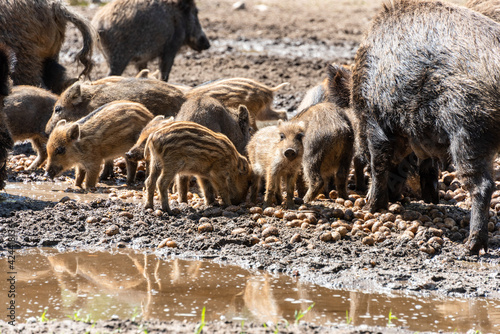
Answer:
(275, 152)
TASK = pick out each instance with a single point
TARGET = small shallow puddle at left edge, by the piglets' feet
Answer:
(55, 191)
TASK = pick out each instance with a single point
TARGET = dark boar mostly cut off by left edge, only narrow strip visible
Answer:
(7, 61)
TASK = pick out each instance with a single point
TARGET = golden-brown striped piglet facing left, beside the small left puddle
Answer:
(106, 133)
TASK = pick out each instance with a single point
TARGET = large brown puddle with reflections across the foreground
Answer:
(126, 284)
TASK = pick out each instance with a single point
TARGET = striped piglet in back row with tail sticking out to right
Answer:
(234, 92)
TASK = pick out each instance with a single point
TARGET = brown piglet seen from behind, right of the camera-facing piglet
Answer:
(328, 148)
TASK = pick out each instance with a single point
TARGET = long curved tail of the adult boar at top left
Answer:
(85, 54)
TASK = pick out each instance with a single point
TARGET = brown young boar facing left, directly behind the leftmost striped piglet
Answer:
(80, 99)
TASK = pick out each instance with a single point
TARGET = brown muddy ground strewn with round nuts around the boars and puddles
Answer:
(418, 250)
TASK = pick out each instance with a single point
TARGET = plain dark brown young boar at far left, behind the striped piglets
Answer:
(28, 109)
